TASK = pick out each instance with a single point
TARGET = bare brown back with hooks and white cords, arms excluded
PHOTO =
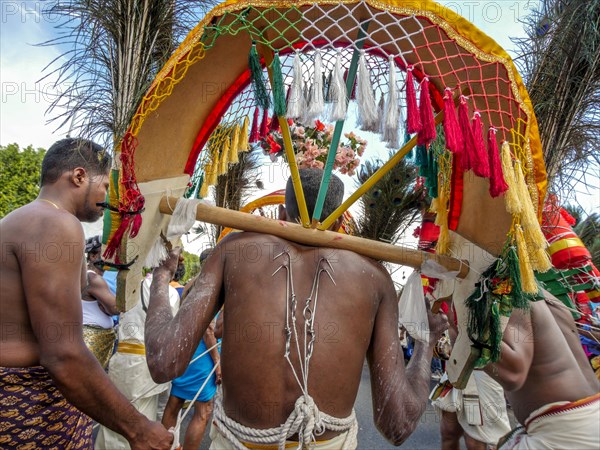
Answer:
(255, 321)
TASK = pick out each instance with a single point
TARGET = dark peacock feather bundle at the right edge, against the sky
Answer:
(560, 61)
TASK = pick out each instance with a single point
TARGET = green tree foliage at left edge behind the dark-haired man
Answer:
(19, 176)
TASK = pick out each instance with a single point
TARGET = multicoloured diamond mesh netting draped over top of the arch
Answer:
(422, 41)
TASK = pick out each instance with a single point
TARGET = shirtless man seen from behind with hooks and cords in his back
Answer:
(270, 375)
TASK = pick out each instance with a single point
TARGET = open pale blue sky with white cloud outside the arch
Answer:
(25, 98)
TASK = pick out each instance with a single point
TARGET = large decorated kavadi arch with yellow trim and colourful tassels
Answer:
(402, 67)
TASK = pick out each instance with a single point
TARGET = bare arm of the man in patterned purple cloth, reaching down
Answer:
(53, 292)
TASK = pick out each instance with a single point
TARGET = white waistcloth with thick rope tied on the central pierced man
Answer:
(306, 421)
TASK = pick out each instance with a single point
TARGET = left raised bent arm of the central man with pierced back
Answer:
(171, 341)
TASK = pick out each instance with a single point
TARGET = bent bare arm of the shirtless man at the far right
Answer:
(516, 352)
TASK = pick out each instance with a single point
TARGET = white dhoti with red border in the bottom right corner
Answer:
(560, 425)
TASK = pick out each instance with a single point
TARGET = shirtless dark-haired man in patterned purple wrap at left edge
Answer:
(49, 380)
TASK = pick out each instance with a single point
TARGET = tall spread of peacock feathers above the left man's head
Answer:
(114, 48)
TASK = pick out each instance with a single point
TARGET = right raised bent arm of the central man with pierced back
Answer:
(399, 394)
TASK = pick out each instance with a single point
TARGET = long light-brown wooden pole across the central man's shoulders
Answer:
(318, 238)
